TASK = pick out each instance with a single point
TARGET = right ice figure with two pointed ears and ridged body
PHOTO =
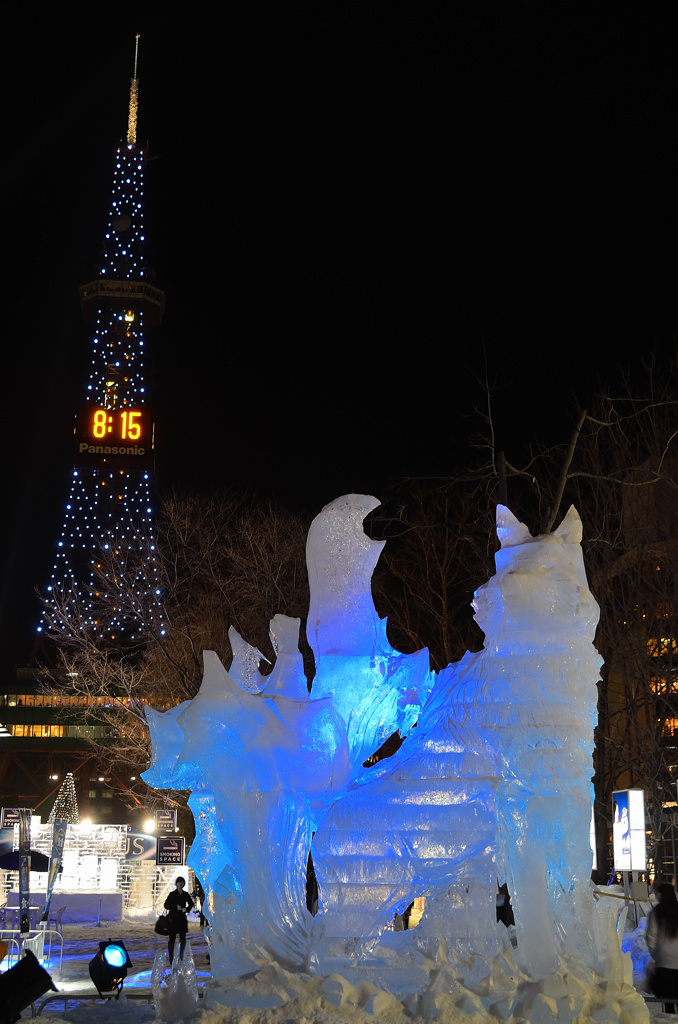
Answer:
(498, 785)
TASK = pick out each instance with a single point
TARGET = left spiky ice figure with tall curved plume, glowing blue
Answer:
(265, 764)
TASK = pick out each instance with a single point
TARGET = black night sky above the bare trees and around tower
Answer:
(351, 207)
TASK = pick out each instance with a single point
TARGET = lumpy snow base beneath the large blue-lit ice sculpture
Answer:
(480, 992)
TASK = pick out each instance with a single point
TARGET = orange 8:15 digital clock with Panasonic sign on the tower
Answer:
(114, 433)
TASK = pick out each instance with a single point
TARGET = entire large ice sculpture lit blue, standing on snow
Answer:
(492, 783)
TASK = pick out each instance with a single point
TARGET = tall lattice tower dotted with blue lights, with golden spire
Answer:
(105, 570)
